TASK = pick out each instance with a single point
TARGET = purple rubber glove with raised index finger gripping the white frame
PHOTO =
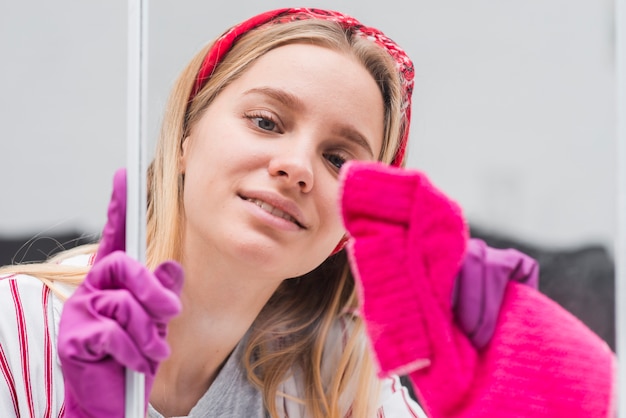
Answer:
(117, 318)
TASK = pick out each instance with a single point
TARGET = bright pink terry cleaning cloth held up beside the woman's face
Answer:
(407, 245)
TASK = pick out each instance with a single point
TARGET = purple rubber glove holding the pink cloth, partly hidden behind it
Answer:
(480, 286)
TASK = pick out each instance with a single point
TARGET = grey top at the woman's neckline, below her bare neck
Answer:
(230, 395)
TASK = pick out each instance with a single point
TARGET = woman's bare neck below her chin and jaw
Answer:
(220, 303)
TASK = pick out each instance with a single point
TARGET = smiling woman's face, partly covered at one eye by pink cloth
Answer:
(261, 165)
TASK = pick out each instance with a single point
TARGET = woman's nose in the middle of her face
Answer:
(294, 167)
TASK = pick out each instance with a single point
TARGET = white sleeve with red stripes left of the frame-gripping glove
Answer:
(31, 383)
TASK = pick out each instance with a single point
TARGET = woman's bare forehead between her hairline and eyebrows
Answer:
(327, 84)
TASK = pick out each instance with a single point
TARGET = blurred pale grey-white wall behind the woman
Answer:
(513, 105)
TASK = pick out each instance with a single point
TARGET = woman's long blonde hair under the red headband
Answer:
(292, 330)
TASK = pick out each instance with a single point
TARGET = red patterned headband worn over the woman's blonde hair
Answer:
(403, 63)
